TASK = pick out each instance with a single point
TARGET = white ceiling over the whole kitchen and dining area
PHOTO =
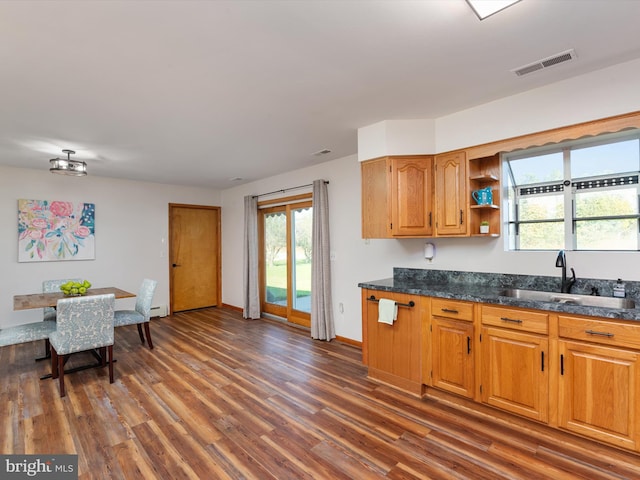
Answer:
(199, 92)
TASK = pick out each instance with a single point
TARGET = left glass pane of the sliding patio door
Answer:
(275, 254)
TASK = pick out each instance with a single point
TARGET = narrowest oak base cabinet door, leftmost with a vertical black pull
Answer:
(452, 360)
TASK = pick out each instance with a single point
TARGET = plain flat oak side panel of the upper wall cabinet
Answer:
(376, 185)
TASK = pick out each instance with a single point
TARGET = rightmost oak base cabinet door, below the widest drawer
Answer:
(599, 392)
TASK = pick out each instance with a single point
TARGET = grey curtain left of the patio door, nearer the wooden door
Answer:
(251, 307)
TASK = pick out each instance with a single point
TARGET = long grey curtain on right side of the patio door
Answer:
(322, 326)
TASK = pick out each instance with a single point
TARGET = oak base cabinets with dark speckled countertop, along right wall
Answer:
(561, 362)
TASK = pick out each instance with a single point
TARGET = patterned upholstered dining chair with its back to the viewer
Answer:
(83, 324)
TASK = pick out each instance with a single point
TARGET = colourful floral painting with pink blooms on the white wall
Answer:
(55, 230)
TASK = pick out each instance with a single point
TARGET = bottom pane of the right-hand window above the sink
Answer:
(607, 234)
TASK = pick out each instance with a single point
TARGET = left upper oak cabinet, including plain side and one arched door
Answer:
(397, 197)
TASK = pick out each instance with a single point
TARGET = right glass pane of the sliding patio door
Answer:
(301, 231)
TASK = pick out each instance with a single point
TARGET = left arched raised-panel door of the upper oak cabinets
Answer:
(411, 196)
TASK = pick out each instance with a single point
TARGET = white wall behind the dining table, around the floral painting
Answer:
(131, 222)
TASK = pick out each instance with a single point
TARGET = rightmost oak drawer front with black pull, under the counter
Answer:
(600, 331)
